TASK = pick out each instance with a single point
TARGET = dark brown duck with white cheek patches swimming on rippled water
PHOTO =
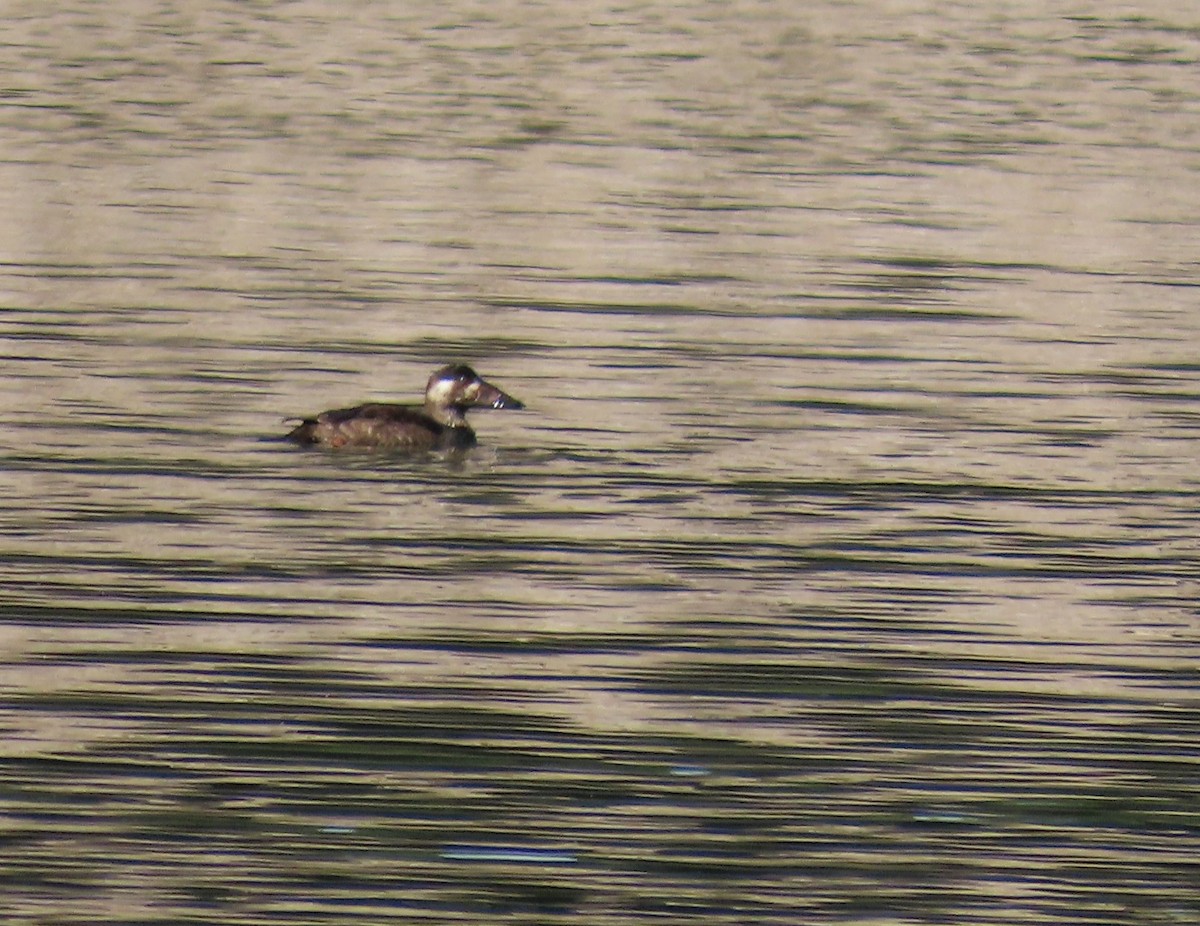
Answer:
(441, 425)
